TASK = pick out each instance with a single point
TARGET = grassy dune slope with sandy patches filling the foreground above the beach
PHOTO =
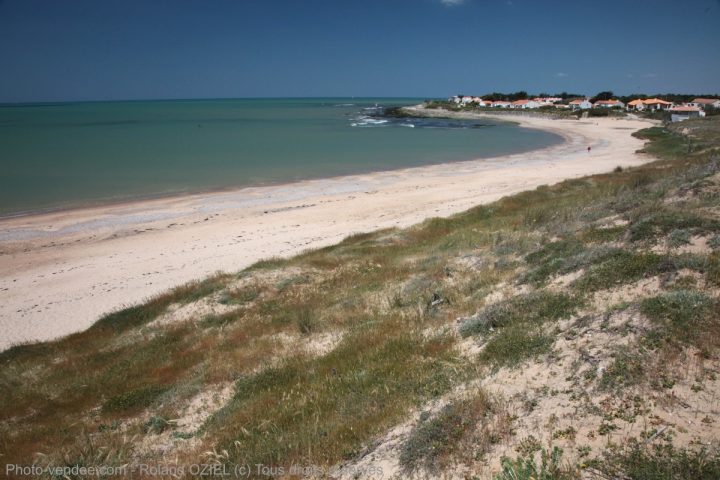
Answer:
(310, 360)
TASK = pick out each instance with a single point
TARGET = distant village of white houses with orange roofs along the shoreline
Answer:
(678, 111)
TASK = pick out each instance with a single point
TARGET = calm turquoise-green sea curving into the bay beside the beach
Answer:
(73, 154)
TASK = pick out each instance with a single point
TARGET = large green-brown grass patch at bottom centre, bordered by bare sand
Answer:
(324, 409)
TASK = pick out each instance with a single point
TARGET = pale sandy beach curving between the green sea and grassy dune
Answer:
(59, 272)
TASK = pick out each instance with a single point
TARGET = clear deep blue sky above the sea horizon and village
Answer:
(76, 50)
